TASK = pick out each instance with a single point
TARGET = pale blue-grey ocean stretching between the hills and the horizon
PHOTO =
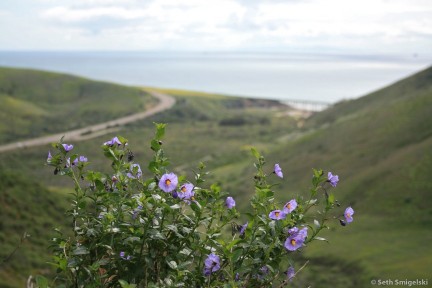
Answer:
(281, 76)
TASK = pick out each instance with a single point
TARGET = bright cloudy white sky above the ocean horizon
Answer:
(323, 26)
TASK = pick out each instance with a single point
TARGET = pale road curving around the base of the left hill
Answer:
(92, 131)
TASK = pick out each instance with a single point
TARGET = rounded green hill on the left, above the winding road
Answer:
(35, 103)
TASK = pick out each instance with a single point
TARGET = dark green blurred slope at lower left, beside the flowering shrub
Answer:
(26, 208)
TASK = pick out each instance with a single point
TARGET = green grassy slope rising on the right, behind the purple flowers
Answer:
(380, 145)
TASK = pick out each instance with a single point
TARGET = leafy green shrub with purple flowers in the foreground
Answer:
(159, 229)
